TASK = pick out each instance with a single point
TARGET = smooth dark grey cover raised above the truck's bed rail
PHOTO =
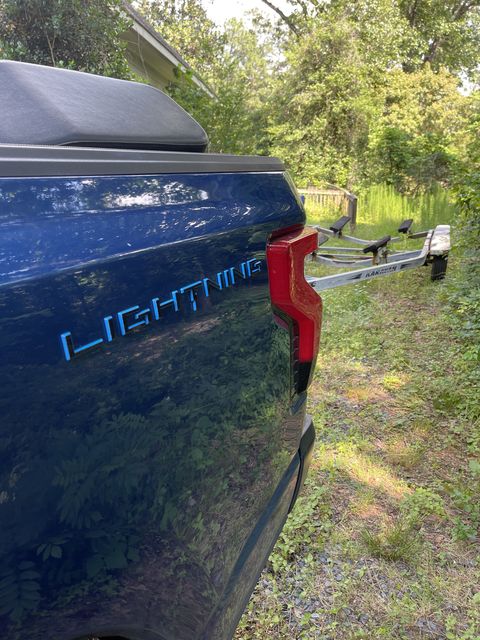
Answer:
(48, 106)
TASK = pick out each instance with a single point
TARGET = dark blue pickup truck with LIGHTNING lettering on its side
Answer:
(157, 341)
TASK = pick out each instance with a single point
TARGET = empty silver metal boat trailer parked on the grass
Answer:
(371, 259)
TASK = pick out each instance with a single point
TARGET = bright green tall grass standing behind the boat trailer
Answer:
(381, 209)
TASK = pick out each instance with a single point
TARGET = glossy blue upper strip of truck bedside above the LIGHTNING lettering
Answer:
(65, 223)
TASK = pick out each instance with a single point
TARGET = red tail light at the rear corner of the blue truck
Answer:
(294, 300)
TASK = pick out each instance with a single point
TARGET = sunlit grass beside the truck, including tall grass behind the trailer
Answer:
(383, 543)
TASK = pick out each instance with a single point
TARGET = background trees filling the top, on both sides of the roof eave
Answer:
(348, 92)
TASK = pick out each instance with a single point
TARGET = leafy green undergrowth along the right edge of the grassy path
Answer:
(463, 297)
